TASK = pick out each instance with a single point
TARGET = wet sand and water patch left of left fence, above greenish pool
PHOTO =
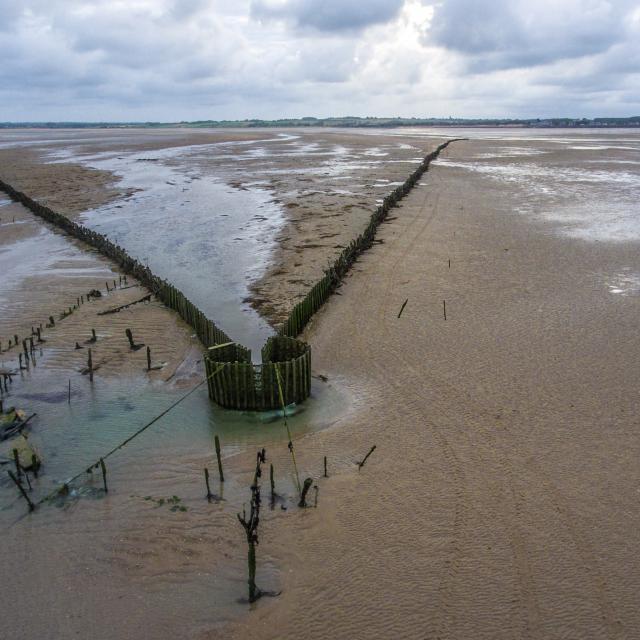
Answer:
(46, 274)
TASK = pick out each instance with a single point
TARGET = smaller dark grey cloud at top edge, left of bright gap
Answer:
(328, 15)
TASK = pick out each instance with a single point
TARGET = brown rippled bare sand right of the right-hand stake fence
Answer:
(501, 501)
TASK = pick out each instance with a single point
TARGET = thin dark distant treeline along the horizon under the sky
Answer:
(348, 121)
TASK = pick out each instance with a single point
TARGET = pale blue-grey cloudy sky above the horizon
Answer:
(174, 60)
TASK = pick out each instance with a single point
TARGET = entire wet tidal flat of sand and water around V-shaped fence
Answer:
(499, 500)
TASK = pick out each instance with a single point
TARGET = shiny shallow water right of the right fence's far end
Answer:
(586, 183)
